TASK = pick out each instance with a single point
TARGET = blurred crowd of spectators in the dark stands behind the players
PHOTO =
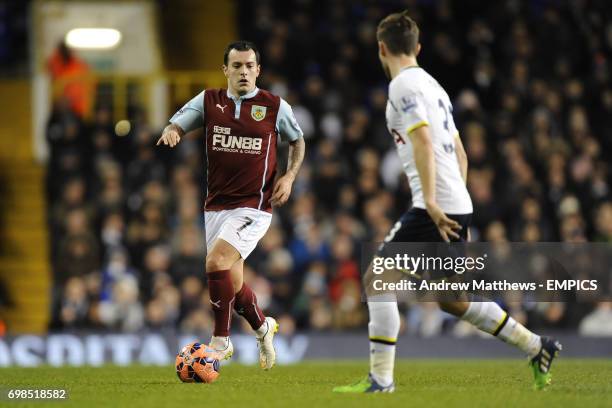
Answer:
(532, 94)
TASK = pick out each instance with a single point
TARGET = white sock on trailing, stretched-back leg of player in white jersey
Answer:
(491, 318)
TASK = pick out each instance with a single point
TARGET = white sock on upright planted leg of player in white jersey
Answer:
(383, 330)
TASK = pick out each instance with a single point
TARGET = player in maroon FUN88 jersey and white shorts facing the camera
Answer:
(241, 125)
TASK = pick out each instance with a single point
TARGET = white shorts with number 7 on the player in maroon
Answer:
(241, 227)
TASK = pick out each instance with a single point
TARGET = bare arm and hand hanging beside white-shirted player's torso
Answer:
(426, 167)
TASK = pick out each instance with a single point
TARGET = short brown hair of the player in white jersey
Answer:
(399, 32)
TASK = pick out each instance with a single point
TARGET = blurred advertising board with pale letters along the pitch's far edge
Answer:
(160, 349)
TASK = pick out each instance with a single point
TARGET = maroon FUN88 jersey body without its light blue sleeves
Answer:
(241, 151)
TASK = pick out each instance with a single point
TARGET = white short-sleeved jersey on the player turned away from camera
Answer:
(417, 99)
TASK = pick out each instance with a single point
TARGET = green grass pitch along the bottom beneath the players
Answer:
(420, 383)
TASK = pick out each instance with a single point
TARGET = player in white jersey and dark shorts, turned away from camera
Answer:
(419, 118)
